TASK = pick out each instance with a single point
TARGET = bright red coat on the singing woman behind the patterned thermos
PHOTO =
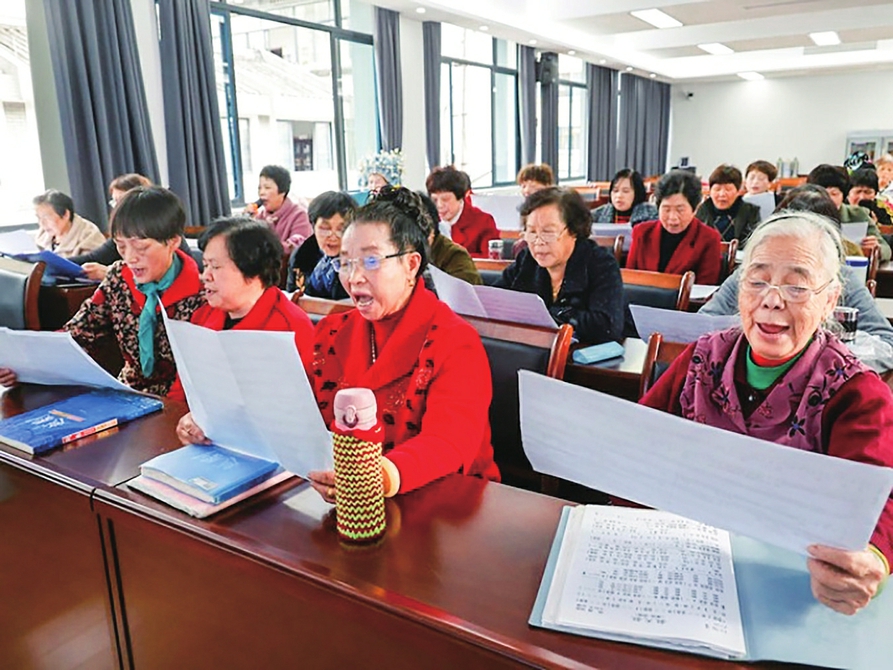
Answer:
(431, 380)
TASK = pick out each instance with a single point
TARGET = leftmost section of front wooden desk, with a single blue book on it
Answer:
(56, 609)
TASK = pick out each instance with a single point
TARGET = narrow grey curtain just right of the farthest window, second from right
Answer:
(602, 83)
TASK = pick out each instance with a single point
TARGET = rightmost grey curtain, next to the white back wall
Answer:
(644, 124)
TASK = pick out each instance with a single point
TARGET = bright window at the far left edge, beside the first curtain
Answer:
(22, 178)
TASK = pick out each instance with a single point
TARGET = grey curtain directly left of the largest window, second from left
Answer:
(196, 165)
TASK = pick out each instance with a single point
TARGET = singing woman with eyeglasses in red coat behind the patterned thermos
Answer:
(426, 366)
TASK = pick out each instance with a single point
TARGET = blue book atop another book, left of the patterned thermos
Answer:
(208, 472)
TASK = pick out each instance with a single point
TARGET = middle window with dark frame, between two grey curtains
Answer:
(479, 106)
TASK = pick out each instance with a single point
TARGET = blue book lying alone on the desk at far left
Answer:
(67, 420)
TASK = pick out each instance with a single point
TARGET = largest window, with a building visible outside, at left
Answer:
(295, 90)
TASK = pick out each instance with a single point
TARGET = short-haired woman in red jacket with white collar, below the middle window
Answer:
(461, 221)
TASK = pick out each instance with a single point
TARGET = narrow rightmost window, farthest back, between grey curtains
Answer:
(572, 102)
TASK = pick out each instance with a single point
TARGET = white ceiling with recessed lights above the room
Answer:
(768, 36)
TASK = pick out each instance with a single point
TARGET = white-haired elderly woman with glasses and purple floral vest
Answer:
(782, 377)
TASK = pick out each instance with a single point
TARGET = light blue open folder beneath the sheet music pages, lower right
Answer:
(780, 618)
